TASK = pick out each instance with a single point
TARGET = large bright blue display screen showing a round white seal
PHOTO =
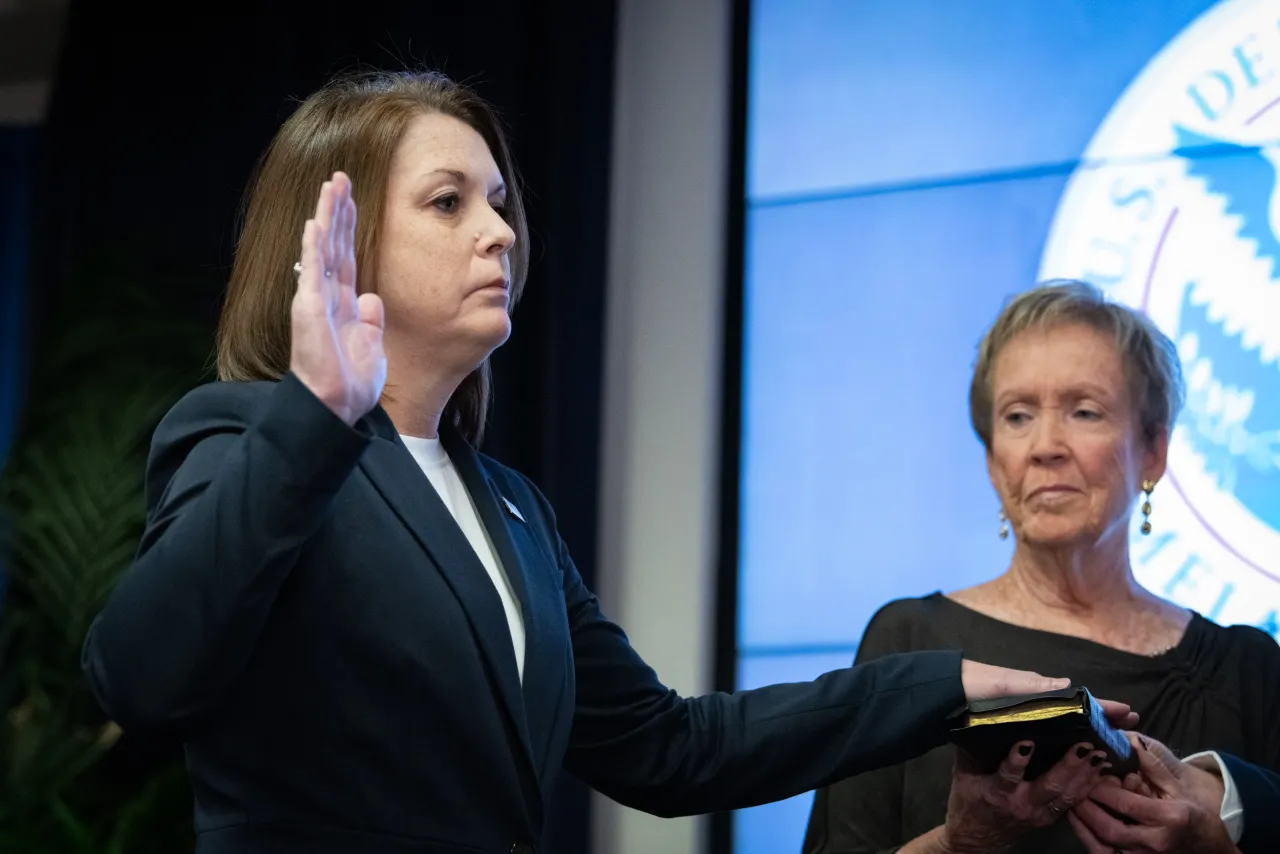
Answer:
(911, 166)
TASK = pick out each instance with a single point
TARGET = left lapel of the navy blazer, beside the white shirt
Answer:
(396, 476)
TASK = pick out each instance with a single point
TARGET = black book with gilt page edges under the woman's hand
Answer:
(1055, 721)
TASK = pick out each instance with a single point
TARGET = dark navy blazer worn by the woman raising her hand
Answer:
(308, 616)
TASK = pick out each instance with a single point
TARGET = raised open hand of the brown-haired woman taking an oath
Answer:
(337, 342)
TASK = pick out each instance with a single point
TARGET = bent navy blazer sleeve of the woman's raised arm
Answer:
(240, 476)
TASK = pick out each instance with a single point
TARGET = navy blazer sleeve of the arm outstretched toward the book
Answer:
(643, 746)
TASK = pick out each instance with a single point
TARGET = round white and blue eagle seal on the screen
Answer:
(1176, 211)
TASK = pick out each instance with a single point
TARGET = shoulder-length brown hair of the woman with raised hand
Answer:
(353, 125)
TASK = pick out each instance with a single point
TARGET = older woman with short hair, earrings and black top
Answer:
(1075, 399)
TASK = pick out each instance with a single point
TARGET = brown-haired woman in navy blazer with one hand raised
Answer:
(369, 636)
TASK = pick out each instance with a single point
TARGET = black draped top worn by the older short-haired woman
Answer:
(1218, 691)
